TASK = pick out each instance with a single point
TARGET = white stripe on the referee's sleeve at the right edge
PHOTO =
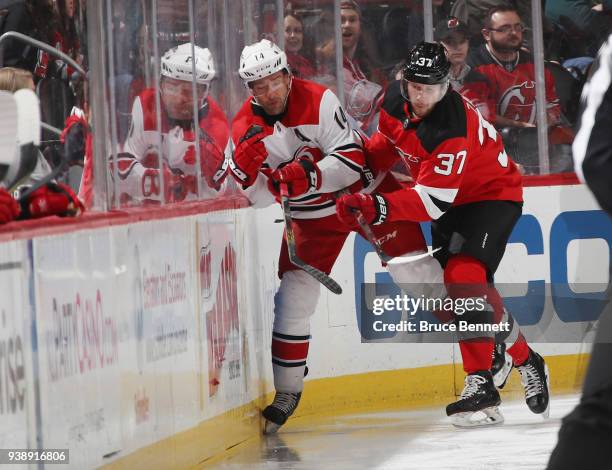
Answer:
(592, 147)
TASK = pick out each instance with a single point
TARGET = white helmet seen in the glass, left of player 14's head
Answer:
(178, 62)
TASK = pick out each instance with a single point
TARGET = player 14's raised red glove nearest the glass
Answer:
(248, 157)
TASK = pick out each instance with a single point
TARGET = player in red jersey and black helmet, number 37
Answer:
(470, 189)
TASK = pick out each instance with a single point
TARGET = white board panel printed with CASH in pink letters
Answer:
(78, 341)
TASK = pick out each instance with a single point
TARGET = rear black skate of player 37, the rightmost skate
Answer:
(535, 379)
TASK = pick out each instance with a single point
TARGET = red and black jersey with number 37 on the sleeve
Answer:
(454, 154)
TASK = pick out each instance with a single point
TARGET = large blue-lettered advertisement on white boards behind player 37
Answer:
(558, 255)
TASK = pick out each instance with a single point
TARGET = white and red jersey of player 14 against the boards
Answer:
(313, 125)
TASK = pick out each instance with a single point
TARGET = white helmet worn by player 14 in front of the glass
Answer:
(260, 60)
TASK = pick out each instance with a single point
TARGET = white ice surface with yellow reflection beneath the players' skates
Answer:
(419, 440)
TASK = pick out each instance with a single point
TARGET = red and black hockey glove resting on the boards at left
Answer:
(51, 199)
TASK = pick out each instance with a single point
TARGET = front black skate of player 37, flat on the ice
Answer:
(479, 402)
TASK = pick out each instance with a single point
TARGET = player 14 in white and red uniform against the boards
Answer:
(295, 132)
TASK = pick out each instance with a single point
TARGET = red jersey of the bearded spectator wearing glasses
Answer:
(512, 86)
